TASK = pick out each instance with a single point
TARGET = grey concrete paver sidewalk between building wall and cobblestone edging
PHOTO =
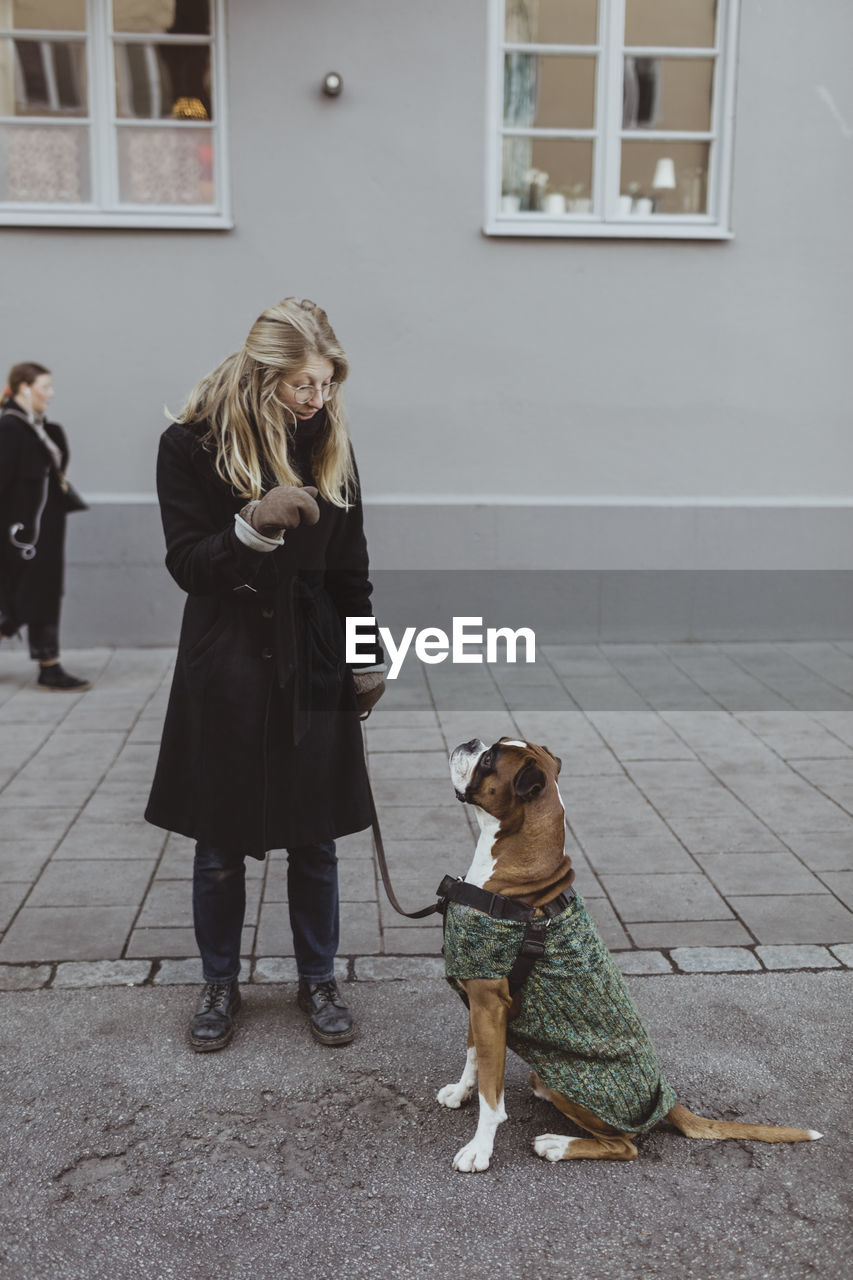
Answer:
(709, 789)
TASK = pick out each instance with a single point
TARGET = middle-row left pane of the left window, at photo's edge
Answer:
(43, 77)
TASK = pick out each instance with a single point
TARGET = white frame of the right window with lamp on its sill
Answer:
(608, 136)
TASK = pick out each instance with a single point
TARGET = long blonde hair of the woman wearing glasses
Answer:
(249, 427)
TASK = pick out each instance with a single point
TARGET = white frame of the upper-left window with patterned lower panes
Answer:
(103, 125)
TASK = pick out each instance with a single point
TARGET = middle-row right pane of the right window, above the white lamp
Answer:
(668, 93)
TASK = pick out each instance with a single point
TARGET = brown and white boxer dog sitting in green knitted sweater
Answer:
(573, 1020)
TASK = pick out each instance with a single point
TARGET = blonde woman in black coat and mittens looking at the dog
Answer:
(262, 746)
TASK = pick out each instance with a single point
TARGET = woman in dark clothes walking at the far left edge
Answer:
(34, 505)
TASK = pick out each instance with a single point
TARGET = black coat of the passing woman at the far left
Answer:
(31, 496)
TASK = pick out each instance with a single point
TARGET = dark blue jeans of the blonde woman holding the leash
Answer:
(220, 907)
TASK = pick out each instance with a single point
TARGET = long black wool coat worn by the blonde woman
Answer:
(262, 747)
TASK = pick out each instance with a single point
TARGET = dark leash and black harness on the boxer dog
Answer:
(500, 908)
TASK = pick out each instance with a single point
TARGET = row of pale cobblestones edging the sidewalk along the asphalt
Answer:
(272, 970)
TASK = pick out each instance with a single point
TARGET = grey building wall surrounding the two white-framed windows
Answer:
(604, 408)
